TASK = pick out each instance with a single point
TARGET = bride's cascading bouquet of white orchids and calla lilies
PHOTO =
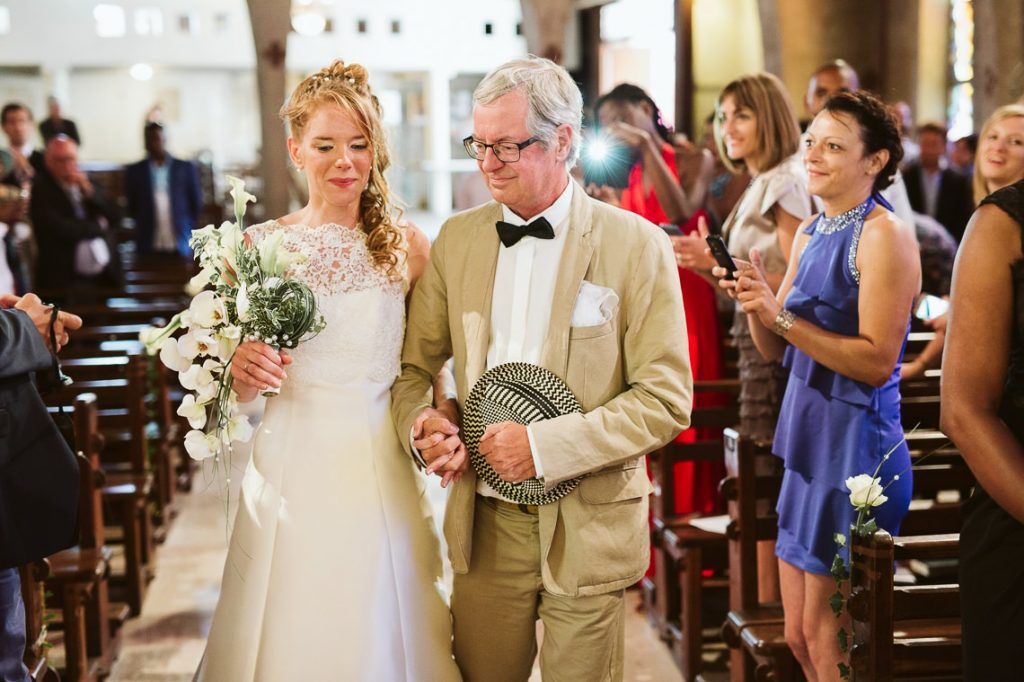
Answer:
(241, 293)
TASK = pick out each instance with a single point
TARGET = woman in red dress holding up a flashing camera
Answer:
(631, 118)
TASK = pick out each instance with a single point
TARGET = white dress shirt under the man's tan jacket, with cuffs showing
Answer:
(521, 305)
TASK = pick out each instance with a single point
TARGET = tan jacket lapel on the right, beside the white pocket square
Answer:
(572, 271)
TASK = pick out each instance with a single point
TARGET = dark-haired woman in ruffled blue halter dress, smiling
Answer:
(839, 324)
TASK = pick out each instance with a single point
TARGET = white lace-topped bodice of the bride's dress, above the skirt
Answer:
(365, 311)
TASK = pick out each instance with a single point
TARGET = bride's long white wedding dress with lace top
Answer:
(334, 570)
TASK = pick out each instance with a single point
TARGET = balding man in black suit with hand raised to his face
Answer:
(74, 224)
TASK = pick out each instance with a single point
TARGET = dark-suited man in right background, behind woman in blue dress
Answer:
(935, 190)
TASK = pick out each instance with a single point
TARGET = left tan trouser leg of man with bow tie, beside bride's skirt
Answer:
(494, 607)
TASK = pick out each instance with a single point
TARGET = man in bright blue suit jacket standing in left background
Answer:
(164, 198)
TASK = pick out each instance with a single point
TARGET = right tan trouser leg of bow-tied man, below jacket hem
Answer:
(584, 637)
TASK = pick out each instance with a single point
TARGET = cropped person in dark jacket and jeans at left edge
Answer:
(28, 531)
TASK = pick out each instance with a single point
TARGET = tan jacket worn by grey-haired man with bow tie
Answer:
(631, 375)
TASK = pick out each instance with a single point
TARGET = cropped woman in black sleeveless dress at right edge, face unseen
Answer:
(984, 413)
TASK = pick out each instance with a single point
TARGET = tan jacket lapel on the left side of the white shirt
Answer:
(478, 290)
